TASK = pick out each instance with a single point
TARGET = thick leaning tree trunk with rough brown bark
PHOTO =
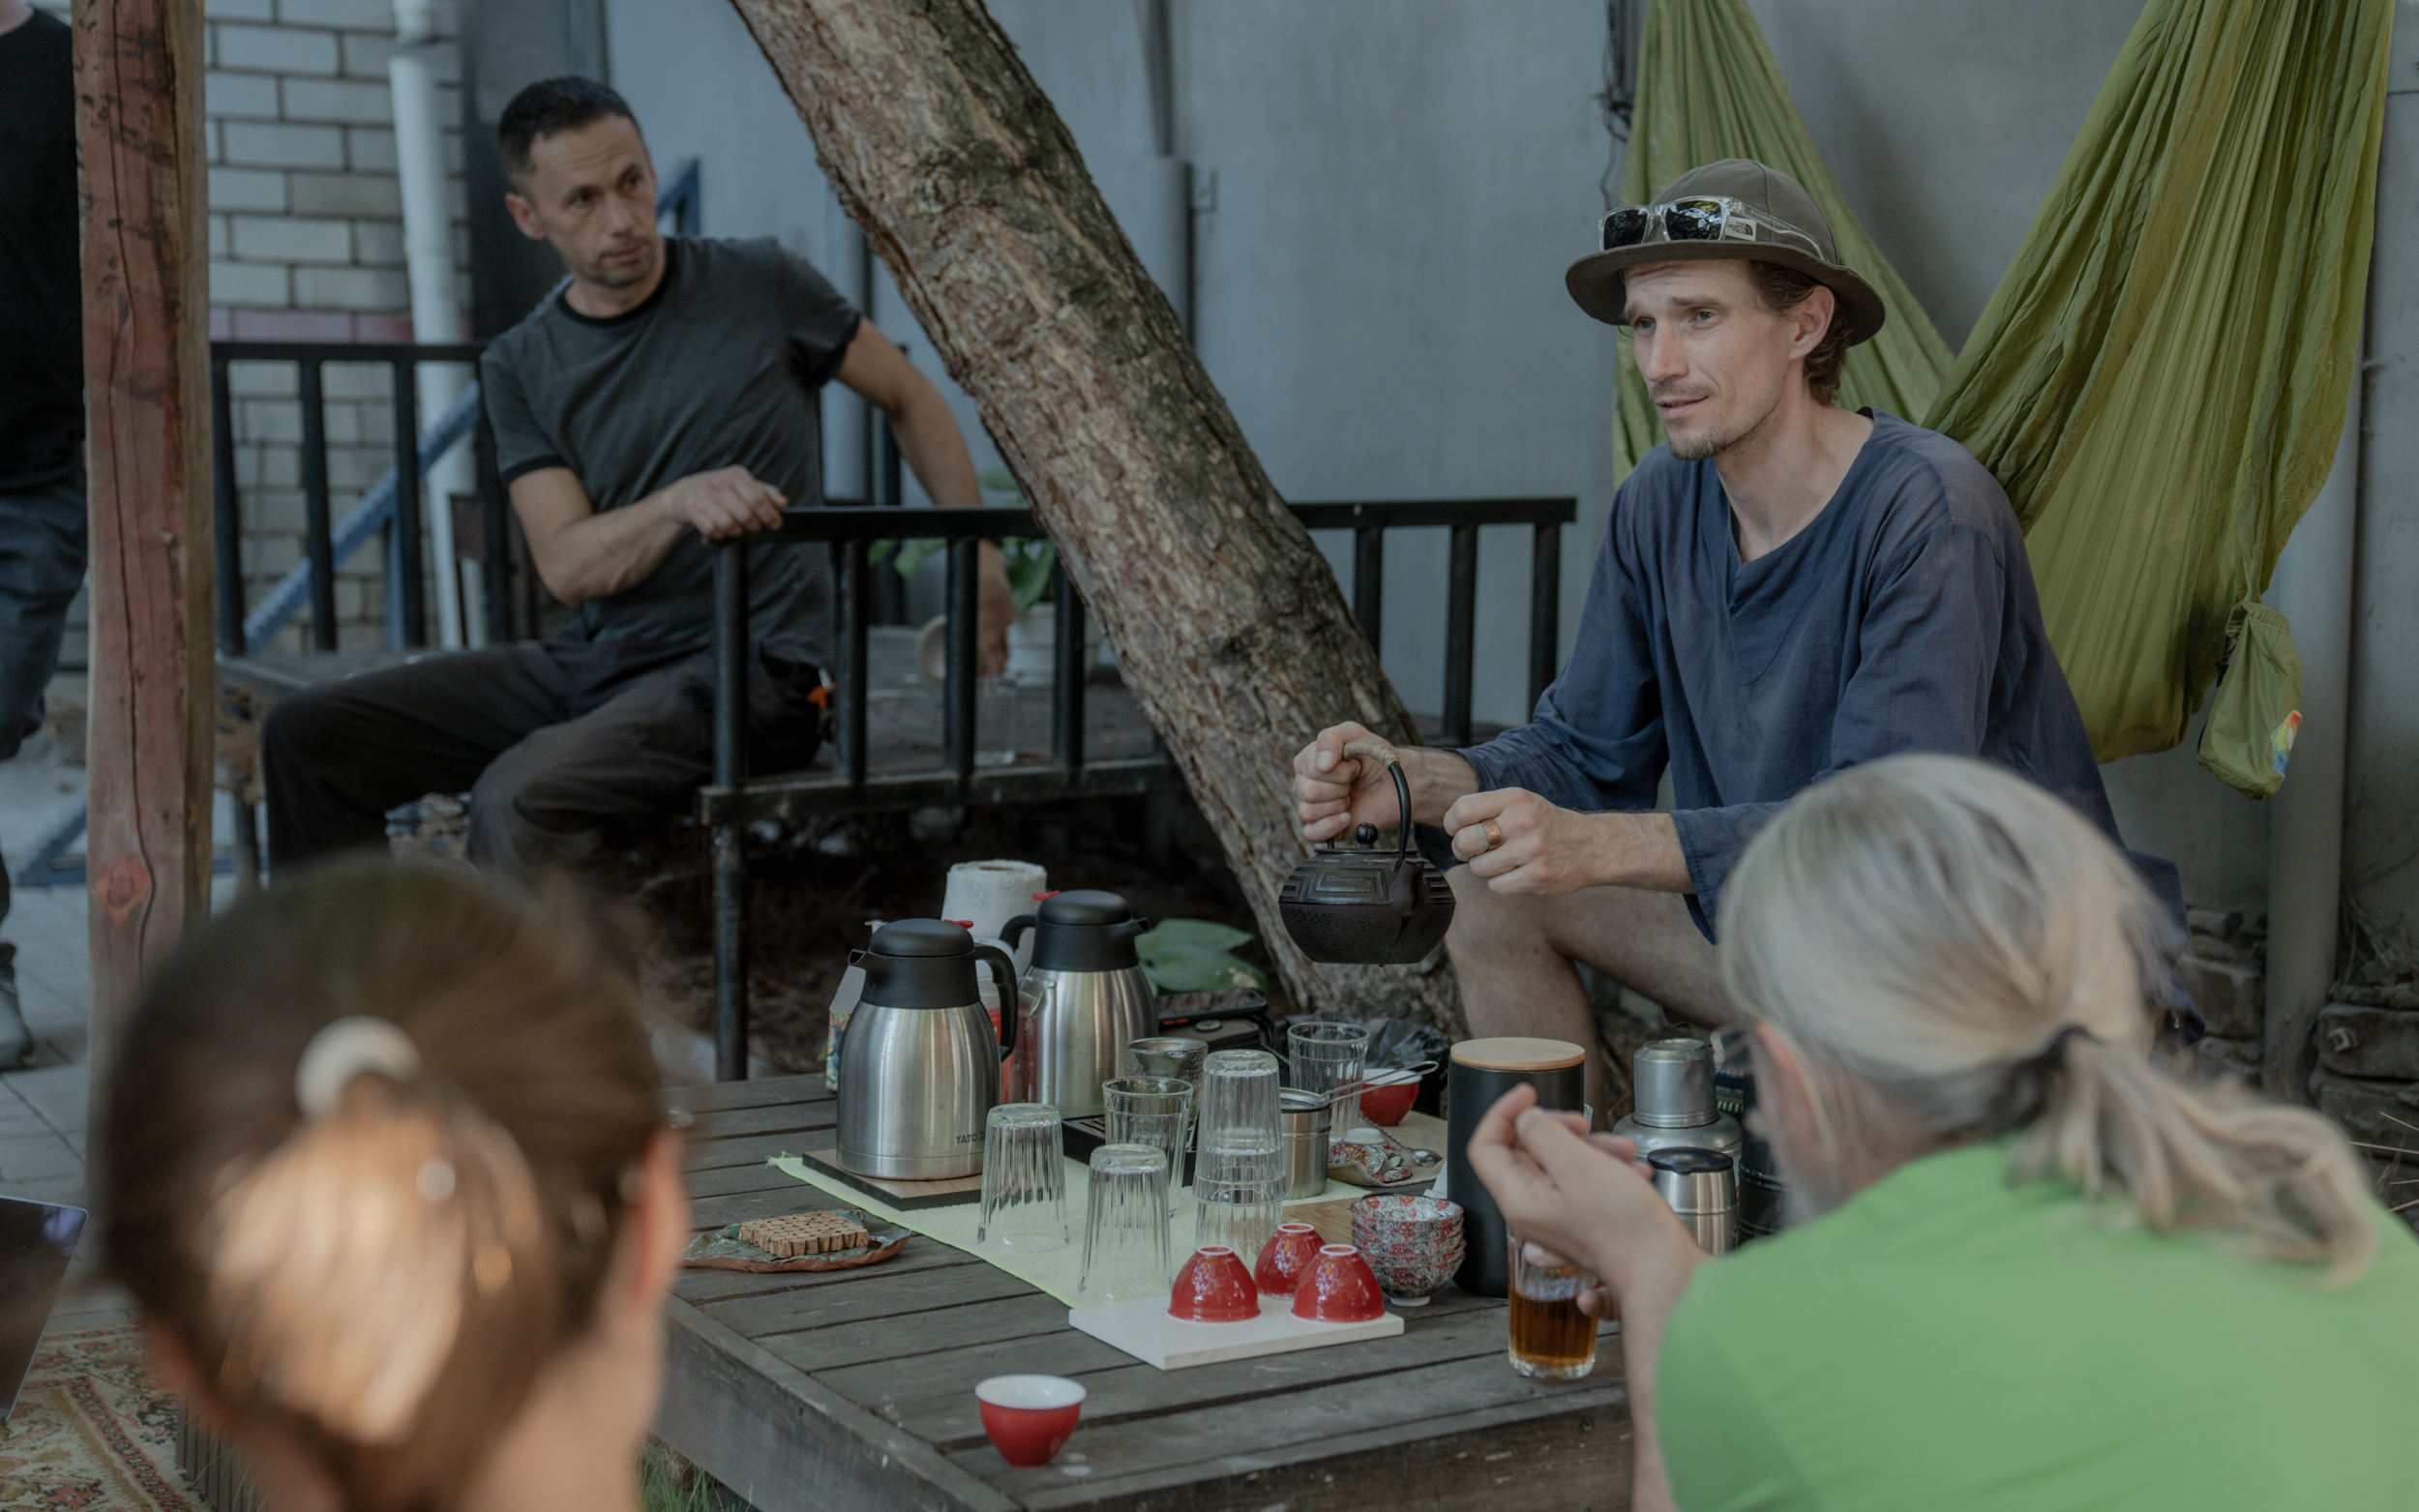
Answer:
(1230, 625)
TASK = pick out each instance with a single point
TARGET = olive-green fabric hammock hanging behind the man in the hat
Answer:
(2161, 376)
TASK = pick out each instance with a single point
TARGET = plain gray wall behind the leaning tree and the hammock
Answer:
(1399, 187)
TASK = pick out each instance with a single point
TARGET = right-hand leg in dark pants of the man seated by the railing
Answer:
(645, 751)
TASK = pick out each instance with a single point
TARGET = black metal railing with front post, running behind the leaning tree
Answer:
(848, 531)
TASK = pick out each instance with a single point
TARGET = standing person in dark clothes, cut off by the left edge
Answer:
(42, 398)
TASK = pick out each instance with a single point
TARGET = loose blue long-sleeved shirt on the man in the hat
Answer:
(1903, 618)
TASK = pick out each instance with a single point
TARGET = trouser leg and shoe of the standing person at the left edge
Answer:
(42, 565)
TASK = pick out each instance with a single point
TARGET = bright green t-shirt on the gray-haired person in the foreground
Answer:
(1951, 1341)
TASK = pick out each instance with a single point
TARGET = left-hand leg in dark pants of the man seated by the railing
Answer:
(337, 758)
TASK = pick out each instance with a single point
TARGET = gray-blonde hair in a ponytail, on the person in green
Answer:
(1961, 954)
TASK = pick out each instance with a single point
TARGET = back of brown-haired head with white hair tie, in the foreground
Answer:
(386, 1170)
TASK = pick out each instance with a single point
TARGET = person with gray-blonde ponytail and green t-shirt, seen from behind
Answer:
(2028, 1266)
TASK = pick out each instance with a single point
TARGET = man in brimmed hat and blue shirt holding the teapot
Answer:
(1786, 589)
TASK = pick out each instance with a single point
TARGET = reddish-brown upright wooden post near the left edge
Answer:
(149, 420)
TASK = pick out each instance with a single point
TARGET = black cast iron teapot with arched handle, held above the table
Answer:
(1368, 906)
